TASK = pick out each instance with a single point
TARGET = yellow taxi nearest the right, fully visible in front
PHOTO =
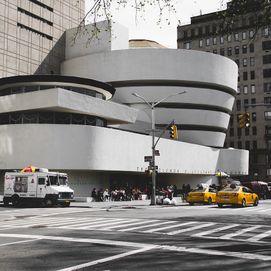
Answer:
(237, 195)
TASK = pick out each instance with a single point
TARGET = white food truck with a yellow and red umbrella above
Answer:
(42, 187)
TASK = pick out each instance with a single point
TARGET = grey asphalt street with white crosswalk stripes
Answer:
(134, 235)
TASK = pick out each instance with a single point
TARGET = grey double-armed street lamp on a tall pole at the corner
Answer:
(152, 105)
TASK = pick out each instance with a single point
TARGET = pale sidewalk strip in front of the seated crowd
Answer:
(121, 204)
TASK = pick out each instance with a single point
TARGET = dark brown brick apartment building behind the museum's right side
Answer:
(252, 54)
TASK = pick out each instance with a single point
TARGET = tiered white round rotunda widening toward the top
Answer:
(210, 82)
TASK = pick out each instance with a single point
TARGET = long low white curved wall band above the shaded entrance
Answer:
(76, 147)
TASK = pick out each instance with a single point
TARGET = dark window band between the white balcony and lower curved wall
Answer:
(49, 118)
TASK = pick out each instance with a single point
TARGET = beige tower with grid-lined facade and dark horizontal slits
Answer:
(31, 34)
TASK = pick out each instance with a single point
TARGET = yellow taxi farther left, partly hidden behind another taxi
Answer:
(202, 194)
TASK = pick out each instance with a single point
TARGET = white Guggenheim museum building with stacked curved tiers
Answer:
(86, 121)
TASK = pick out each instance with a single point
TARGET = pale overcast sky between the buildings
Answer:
(147, 28)
